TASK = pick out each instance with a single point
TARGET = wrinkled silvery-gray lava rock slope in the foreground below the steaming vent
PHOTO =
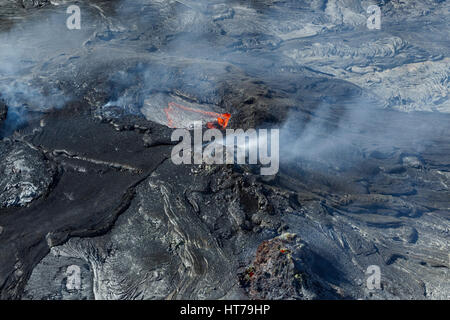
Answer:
(181, 240)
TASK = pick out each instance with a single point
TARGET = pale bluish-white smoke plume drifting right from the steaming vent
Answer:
(344, 135)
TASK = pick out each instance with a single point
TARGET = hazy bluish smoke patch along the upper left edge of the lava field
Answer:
(29, 74)
